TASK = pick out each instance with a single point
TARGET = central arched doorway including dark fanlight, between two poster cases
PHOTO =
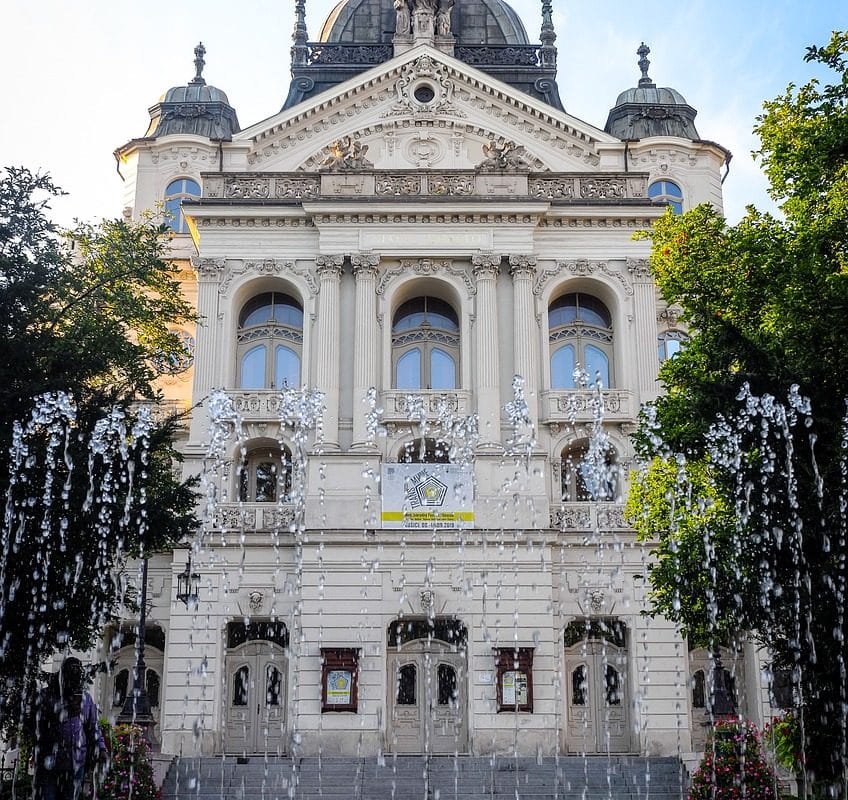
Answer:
(427, 686)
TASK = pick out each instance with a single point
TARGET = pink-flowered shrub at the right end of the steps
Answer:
(733, 766)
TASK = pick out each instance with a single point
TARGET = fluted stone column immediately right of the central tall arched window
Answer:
(487, 358)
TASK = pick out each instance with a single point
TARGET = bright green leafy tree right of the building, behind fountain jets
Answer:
(767, 302)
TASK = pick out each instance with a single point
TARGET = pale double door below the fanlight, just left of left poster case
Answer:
(256, 698)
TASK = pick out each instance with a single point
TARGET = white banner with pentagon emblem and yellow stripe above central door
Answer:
(427, 496)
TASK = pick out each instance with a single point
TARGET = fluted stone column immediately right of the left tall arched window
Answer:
(327, 371)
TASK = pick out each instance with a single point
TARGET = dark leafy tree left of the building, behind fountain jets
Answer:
(86, 312)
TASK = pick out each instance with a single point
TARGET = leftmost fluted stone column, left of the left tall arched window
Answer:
(207, 364)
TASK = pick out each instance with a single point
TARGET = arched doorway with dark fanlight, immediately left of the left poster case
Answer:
(256, 689)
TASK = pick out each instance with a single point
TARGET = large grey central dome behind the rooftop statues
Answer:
(474, 22)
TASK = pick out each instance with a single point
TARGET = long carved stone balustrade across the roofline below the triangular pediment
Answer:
(560, 187)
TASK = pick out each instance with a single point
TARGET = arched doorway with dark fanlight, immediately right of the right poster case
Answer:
(596, 682)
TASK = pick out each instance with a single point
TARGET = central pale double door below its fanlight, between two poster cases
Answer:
(427, 699)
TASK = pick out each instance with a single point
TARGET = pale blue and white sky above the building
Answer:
(78, 77)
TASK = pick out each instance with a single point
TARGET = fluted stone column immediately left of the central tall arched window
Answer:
(365, 338)
